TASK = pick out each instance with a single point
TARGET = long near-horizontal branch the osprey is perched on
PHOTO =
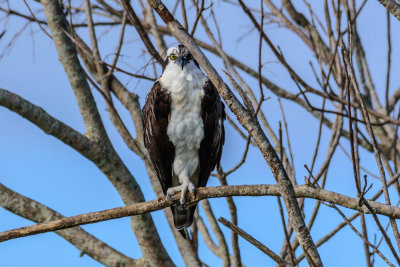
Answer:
(301, 191)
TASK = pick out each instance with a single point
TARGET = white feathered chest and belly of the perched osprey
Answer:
(185, 127)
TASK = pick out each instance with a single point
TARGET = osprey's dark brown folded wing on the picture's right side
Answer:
(213, 115)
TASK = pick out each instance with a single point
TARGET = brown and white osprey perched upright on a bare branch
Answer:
(183, 129)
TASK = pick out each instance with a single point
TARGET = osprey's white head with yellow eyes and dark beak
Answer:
(179, 56)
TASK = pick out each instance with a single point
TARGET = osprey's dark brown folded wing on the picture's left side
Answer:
(155, 116)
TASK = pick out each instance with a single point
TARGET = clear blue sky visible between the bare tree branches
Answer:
(44, 169)
